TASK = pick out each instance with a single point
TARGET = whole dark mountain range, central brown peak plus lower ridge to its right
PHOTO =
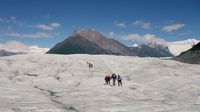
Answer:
(89, 41)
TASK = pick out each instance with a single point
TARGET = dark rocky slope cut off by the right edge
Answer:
(190, 56)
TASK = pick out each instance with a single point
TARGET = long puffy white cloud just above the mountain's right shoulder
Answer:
(148, 38)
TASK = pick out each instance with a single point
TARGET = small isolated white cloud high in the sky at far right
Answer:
(173, 27)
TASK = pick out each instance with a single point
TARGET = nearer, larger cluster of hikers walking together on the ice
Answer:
(114, 77)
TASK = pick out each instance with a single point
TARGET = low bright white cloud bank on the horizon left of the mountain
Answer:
(16, 46)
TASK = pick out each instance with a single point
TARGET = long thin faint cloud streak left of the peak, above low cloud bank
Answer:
(33, 35)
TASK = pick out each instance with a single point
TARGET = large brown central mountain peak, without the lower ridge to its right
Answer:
(89, 42)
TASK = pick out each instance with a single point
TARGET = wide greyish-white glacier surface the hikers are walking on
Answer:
(64, 83)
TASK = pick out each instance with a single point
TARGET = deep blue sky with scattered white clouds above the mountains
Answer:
(46, 22)
